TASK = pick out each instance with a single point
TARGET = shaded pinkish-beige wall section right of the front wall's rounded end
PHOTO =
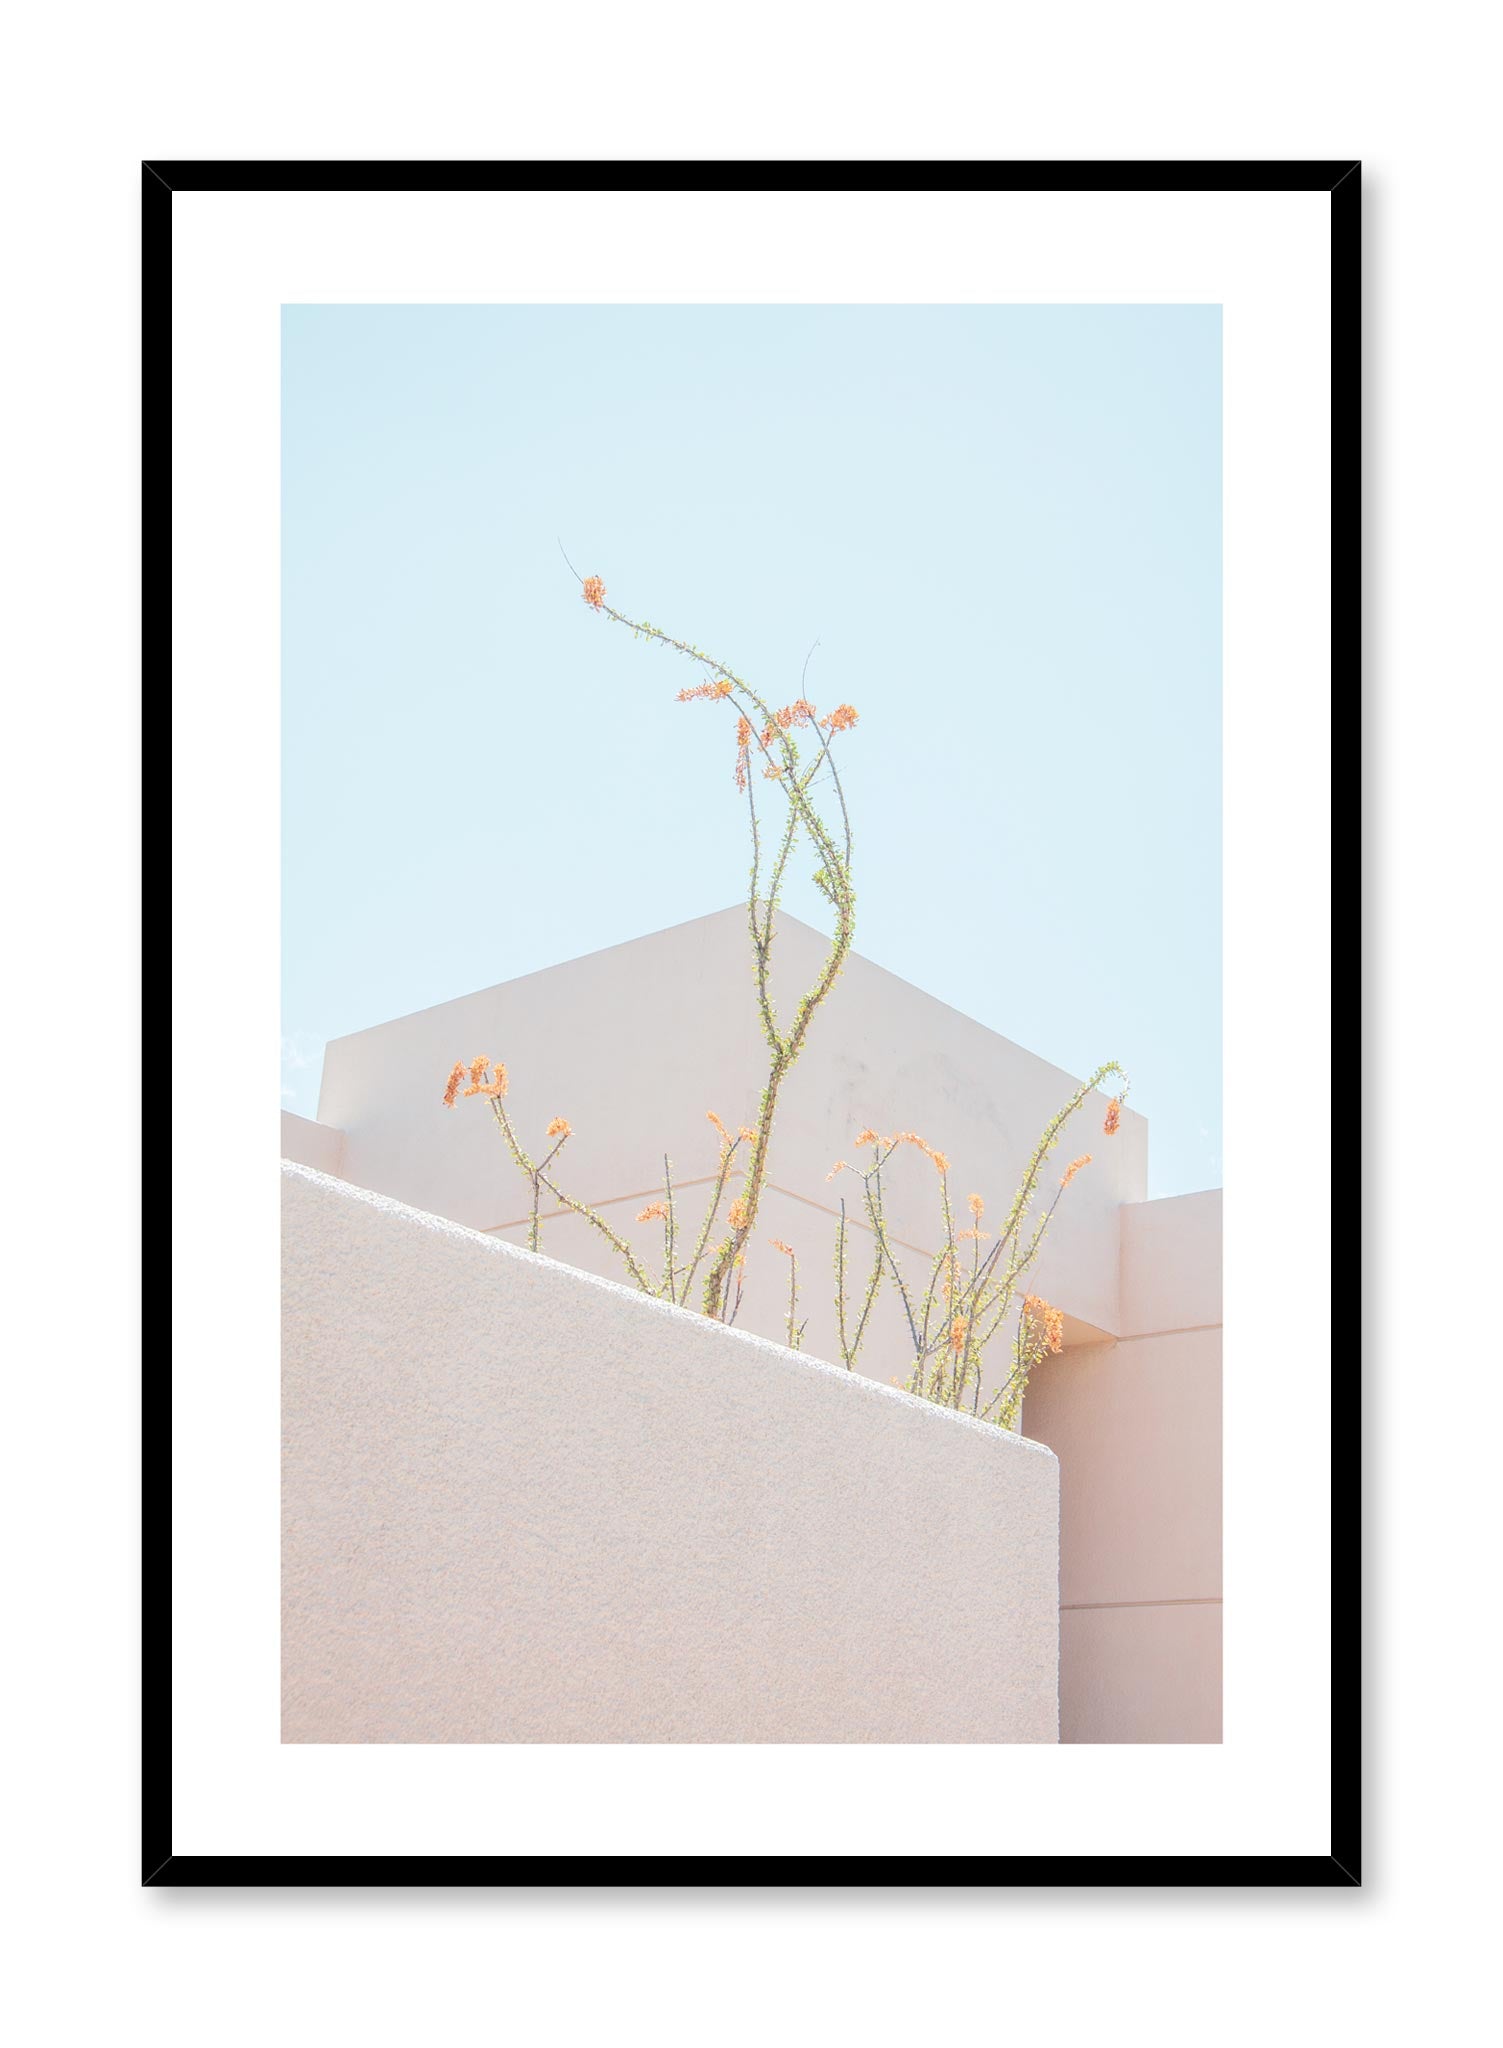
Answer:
(1137, 1433)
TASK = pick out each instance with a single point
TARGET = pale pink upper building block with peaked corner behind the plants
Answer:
(636, 1043)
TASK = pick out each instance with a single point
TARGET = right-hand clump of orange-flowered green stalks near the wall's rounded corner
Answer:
(970, 1293)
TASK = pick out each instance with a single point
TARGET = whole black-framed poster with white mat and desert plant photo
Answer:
(753, 1379)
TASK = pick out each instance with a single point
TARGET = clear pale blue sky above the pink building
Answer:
(1002, 525)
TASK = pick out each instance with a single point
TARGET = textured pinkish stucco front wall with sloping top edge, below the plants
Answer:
(525, 1504)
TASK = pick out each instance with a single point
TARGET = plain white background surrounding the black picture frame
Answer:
(97, 89)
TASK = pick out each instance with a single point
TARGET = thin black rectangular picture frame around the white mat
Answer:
(1342, 179)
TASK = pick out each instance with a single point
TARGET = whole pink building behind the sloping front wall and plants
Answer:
(638, 1043)
